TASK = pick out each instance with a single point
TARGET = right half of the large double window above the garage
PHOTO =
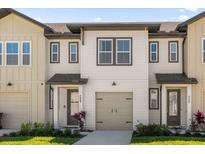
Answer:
(123, 51)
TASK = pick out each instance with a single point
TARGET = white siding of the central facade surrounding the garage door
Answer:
(128, 78)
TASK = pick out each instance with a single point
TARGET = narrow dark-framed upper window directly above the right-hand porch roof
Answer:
(173, 51)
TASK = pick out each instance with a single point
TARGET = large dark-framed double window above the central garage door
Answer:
(114, 51)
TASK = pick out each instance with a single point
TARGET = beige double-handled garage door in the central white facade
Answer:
(114, 111)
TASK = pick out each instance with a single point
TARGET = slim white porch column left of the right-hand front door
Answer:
(164, 105)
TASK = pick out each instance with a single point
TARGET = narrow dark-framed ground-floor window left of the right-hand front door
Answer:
(153, 98)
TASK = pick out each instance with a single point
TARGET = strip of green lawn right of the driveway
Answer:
(167, 140)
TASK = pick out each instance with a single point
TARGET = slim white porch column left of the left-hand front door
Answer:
(55, 106)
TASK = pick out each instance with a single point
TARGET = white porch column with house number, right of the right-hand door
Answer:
(189, 104)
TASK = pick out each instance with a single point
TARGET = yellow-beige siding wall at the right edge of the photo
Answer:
(195, 67)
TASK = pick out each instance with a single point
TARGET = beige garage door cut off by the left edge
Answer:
(15, 109)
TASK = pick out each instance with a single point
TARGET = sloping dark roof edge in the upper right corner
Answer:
(183, 26)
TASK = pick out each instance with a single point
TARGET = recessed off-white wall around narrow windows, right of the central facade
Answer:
(163, 66)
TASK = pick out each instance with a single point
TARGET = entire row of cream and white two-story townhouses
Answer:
(120, 74)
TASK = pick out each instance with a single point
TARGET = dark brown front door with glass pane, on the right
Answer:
(173, 107)
